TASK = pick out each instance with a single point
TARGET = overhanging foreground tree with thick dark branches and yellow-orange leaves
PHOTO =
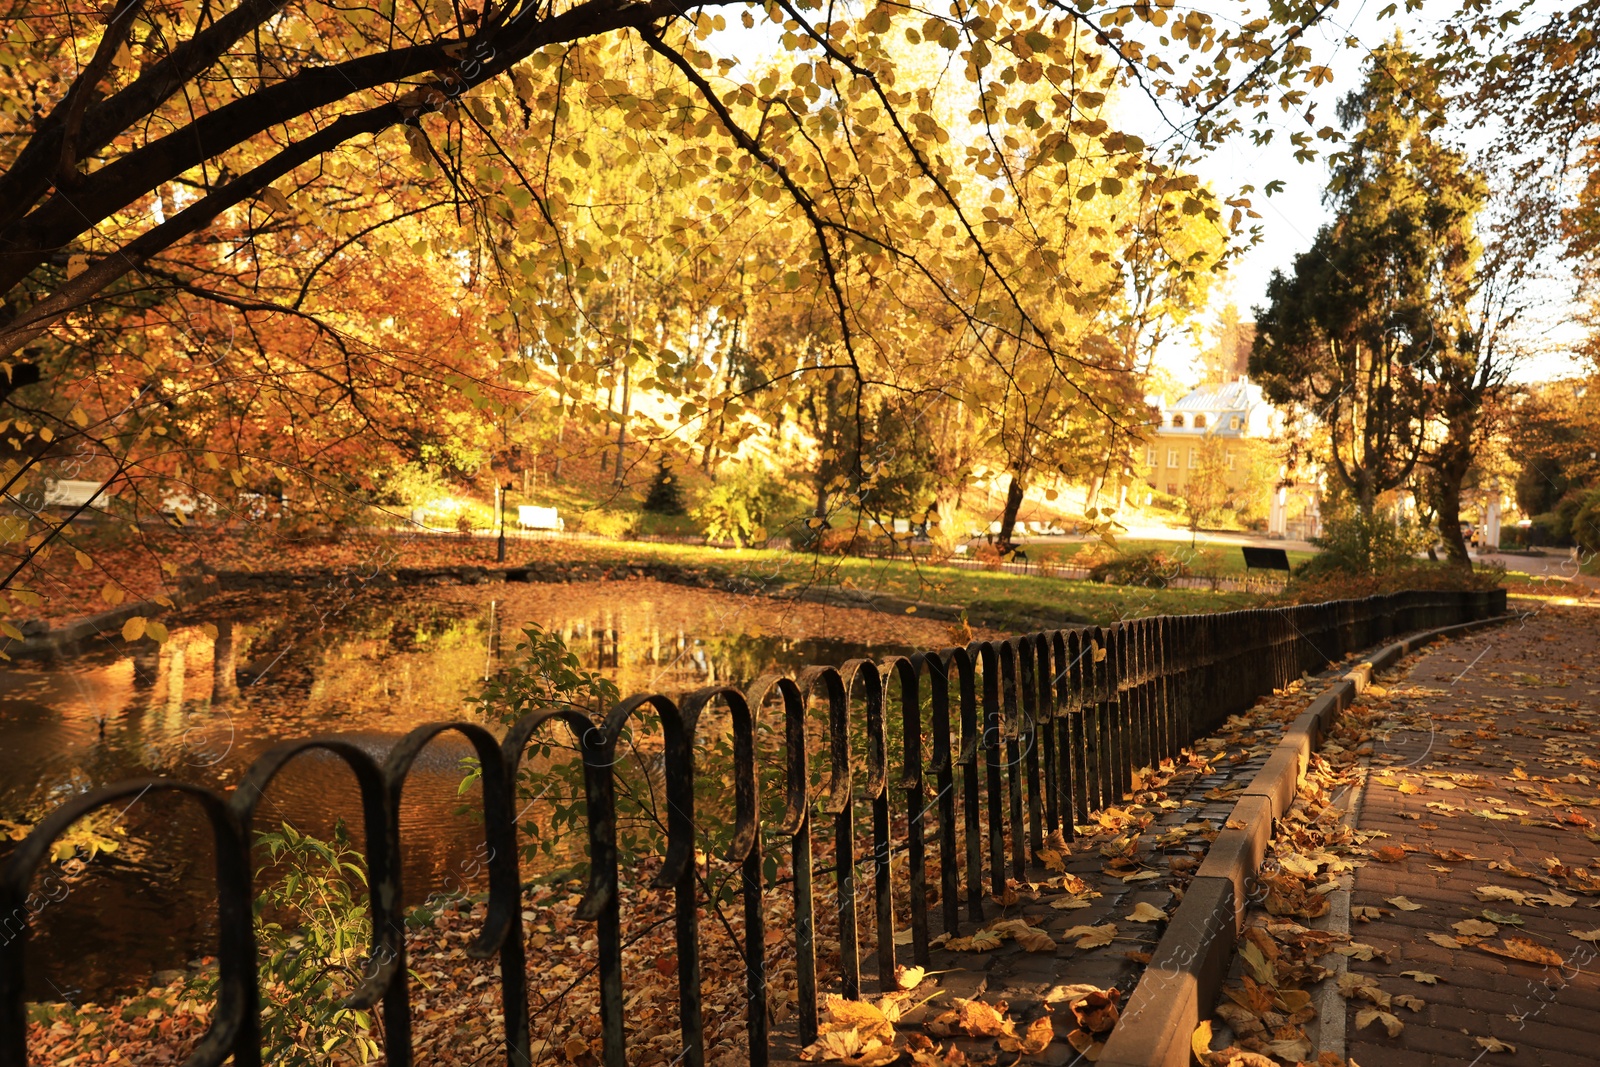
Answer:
(220, 167)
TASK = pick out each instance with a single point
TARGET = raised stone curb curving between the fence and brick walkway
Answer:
(1185, 977)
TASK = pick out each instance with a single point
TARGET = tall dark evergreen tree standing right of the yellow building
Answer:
(1377, 308)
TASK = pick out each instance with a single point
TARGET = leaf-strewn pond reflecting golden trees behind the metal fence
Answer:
(244, 673)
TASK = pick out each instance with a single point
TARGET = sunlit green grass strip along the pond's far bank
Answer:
(982, 593)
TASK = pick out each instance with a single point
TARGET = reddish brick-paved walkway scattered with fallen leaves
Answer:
(1490, 781)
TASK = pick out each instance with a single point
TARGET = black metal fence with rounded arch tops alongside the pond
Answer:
(1025, 738)
